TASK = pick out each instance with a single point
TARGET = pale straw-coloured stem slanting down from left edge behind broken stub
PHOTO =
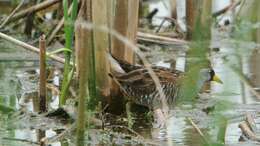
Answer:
(29, 47)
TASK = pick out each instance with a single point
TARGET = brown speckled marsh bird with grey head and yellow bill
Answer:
(140, 88)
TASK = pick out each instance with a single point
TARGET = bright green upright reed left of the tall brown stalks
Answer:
(69, 34)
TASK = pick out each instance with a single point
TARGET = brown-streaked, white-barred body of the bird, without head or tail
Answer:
(141, 88)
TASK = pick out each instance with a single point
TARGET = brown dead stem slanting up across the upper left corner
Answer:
(38, 7)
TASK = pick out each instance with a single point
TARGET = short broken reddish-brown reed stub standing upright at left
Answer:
(42, 84)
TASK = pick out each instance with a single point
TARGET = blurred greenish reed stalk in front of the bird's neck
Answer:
(199, 26)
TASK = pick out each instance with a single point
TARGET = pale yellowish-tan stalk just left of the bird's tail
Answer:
(101, 45)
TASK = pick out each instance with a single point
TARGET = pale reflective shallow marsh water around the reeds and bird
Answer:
(179, 131)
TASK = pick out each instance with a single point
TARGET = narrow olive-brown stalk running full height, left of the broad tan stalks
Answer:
(84, 46)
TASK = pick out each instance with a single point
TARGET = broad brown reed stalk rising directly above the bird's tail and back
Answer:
(125, 22)
